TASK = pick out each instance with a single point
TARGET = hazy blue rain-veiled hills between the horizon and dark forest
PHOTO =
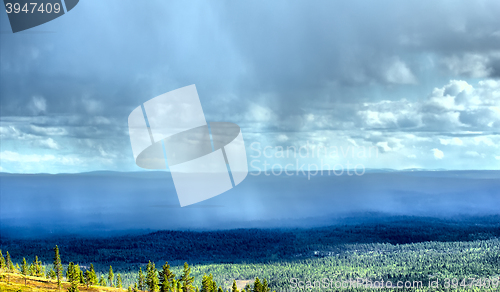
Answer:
(117, 202)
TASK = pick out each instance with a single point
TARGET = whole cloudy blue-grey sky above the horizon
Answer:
(418, 82)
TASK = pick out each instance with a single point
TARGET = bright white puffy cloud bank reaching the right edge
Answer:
(456, 106)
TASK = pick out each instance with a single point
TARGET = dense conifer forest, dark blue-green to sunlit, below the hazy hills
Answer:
(460, 254)
